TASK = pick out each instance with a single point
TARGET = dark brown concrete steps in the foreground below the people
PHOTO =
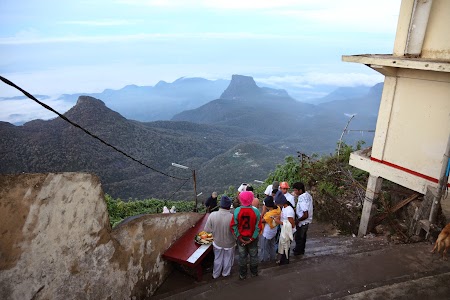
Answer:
(334, 267)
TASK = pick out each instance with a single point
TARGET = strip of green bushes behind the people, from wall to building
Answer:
(337, 189)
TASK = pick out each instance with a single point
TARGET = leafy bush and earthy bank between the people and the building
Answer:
(337, 188)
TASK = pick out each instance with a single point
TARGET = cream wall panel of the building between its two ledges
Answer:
(417, 123)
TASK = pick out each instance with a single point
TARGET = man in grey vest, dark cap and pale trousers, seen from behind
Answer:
(218, 224)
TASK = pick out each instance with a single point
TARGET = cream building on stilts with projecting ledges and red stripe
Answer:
(411, 144)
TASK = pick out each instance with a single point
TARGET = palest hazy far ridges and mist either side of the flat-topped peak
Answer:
(160, 102)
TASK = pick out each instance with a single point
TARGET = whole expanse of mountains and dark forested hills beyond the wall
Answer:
(239, 136)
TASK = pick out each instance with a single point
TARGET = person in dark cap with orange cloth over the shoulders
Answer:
(268, 237)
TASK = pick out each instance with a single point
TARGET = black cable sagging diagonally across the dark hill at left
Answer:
(85, 130)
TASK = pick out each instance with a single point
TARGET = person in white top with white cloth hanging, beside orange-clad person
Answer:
(287, 224)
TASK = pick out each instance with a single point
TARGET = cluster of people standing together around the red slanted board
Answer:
(263, 234)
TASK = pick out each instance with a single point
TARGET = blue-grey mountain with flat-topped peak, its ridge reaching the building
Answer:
(273, 118)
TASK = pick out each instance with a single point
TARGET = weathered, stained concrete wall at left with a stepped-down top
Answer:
(56, 241)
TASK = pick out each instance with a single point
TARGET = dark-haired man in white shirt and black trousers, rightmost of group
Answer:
(304, 213)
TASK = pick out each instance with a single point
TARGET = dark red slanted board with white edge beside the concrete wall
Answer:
(187, 252)
